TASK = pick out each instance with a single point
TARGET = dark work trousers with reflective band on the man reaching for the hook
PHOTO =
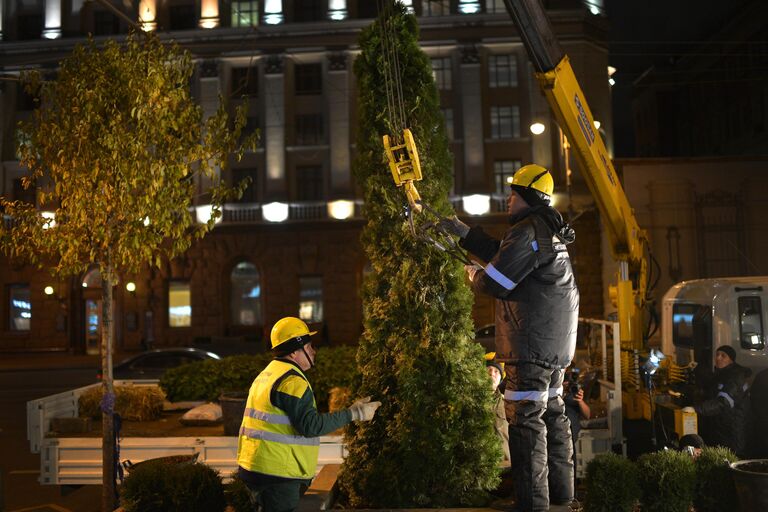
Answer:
(539, 437)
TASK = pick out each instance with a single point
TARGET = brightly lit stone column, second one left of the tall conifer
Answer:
(274, 123)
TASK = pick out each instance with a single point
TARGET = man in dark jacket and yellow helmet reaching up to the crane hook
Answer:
(529, 273)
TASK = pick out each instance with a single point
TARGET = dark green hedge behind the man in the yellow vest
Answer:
(206, 380)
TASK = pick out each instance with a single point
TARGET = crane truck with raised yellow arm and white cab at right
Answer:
(698, 315)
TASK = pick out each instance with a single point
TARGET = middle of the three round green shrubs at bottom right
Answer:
(667, 481)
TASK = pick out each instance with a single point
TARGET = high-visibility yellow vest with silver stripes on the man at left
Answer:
(268, 442)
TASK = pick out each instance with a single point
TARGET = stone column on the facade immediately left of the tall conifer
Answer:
(338, 110)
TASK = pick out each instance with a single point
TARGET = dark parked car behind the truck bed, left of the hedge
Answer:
(153, 363)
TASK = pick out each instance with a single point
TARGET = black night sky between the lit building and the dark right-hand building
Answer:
(648, 33)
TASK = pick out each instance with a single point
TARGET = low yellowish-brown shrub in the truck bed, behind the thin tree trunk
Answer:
(134, 403)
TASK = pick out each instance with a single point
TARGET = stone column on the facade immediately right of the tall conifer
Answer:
(472, 113)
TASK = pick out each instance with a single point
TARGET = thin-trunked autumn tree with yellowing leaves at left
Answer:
(116, 149)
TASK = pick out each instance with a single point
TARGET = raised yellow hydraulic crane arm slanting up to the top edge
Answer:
(628, 241)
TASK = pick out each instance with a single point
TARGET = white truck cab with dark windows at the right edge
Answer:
(700, 315)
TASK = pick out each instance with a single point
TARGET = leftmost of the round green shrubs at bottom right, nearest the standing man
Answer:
(612, 484)
